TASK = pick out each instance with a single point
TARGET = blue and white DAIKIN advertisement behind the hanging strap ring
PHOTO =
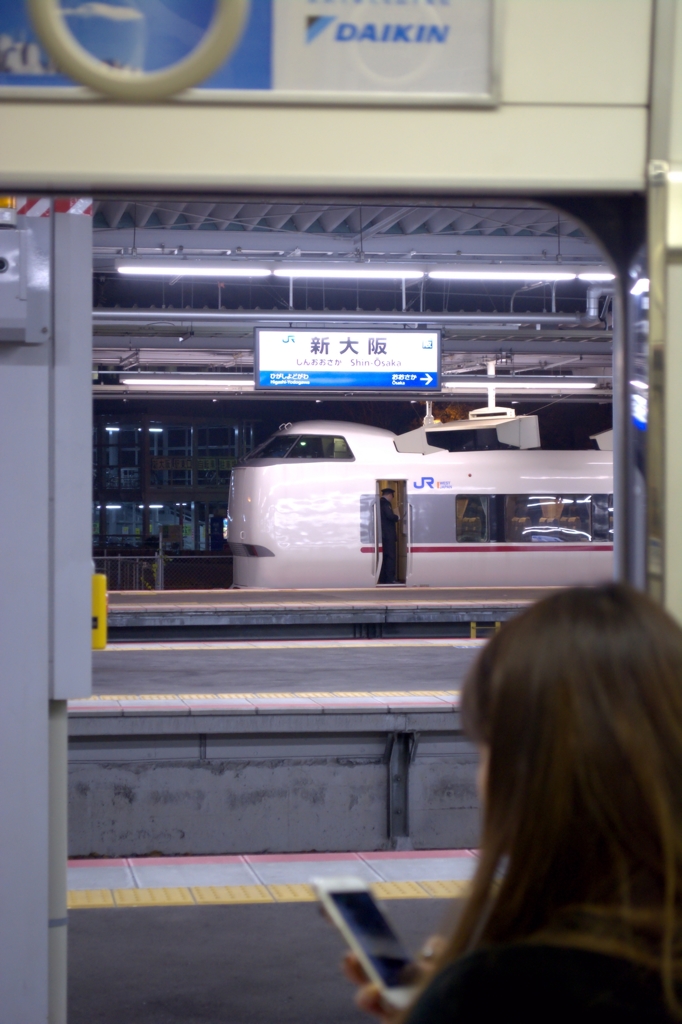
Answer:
(436, 52)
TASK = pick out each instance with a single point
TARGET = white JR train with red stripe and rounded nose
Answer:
(478, 506)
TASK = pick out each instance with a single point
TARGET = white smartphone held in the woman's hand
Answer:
(351, 906)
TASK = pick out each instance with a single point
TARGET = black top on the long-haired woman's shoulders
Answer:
(536, 985)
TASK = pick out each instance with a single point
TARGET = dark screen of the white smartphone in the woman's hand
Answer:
(375, 935)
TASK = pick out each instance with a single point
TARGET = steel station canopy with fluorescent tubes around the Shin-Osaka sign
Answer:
(511, 288)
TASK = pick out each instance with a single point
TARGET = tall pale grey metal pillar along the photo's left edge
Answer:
(46, 571)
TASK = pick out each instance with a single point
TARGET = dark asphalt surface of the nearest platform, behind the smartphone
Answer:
(258, 964)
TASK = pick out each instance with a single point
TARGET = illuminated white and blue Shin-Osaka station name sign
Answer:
(356, 361)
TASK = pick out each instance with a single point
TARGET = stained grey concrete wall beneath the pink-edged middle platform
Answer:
(153, 787)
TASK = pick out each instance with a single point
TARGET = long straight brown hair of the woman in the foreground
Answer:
(579, 701)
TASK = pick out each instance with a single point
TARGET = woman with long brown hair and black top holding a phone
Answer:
(576, 908)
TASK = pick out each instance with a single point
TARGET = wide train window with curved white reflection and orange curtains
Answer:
(549, 519)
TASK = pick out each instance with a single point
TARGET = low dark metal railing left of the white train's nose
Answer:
(166, 572)
